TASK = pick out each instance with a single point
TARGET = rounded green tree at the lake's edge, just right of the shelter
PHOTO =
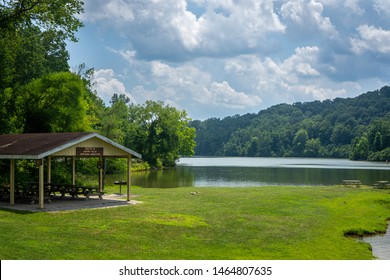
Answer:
(160, 133)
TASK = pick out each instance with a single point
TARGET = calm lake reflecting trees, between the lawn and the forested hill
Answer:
(247, 172)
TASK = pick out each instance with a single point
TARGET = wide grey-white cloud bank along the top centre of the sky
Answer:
(169, 30)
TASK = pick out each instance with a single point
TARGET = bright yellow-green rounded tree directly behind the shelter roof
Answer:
(54, 103)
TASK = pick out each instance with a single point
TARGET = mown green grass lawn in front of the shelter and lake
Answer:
(217, 223)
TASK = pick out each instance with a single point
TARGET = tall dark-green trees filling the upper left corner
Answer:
(33, 36)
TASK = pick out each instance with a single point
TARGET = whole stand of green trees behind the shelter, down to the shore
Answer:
(40, 93)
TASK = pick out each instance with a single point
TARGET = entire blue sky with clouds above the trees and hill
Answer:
(218, 58)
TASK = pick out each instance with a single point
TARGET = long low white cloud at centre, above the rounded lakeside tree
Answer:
(188, 84)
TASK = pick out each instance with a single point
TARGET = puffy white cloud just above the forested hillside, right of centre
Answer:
(293, 79)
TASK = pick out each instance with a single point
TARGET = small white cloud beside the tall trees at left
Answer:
(106, 85)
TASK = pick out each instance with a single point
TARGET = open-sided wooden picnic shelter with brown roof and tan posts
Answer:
(43, 147)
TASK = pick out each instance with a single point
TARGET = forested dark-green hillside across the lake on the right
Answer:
(355, 128)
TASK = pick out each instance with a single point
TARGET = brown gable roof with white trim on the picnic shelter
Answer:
(40, 145)
